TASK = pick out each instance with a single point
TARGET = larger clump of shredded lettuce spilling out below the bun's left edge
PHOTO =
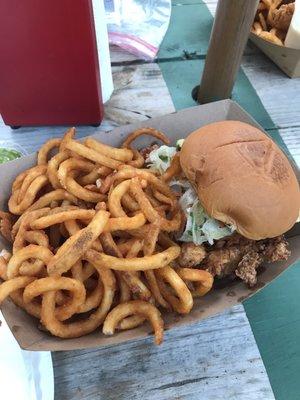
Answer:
(200, 227)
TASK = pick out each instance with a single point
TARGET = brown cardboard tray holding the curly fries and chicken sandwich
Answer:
(177, 125)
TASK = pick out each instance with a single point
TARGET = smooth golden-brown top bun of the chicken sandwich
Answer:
(242, 178)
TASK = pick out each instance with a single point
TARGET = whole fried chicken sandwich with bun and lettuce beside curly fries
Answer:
(240, 196)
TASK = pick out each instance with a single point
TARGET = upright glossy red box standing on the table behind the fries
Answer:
(49, 70)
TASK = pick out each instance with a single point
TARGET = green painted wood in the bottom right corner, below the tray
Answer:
(275, 321)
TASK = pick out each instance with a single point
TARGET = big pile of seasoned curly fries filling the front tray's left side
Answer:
(90, 239)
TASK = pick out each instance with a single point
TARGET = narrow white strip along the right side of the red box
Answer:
(107, 86)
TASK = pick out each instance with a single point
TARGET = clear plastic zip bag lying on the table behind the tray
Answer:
(138, 26)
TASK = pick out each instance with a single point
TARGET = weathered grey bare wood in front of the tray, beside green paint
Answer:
(215, 360)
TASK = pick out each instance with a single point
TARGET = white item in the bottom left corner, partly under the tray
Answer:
(24, 375)
